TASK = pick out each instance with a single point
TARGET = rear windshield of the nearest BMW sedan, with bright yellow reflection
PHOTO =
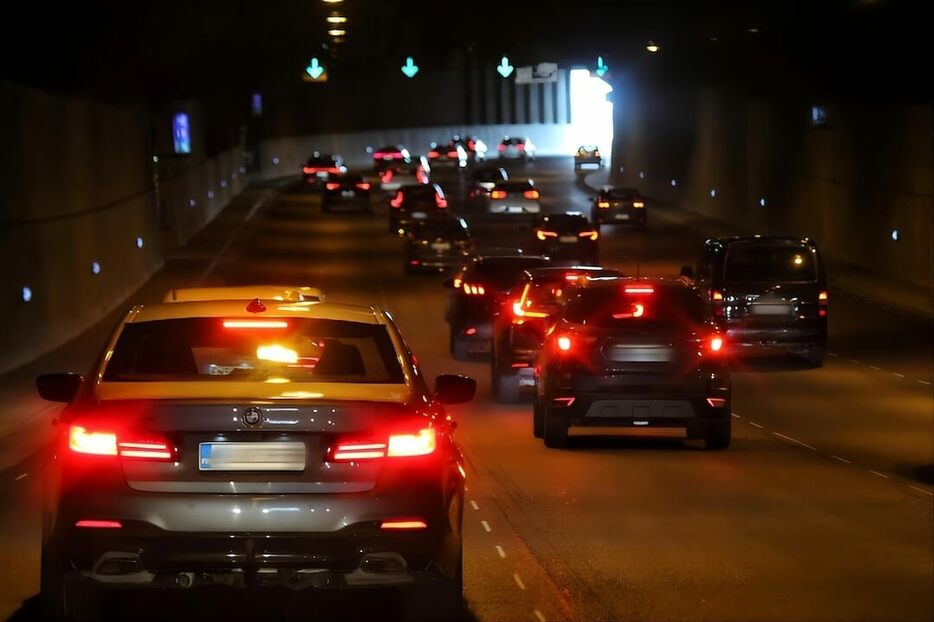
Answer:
(293, 350)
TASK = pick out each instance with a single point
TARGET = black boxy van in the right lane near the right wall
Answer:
(767, 294)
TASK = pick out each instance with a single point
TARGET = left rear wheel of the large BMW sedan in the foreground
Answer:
(65, 596)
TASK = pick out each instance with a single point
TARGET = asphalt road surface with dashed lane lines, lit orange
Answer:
(822, 508)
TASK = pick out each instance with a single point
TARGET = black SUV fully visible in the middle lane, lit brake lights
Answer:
(634, 353)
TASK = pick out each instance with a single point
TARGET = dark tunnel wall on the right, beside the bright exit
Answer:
(847, 182)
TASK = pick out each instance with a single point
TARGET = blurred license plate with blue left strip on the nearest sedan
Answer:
(285, 456)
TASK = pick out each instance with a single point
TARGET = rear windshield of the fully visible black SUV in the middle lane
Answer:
(611, 307)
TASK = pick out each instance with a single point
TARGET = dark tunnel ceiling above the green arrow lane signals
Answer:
(162, 50)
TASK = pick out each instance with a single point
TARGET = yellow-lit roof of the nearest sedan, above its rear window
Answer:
(238, 309)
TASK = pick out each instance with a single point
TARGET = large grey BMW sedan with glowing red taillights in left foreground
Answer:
(242, 443)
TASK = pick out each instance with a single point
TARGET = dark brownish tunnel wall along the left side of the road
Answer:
(77, 186)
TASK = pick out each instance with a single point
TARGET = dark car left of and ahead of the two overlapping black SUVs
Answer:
(479, 291)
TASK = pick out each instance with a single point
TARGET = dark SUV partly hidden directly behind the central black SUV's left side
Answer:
(519, 328)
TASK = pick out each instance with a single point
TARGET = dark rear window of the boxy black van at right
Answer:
(759, 261)
